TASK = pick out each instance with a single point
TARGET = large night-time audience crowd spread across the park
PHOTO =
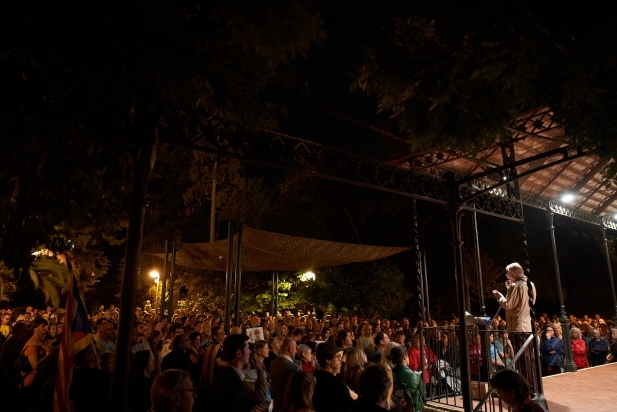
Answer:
(302, 363)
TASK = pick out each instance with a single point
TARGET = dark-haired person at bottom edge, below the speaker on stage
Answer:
(513, 390)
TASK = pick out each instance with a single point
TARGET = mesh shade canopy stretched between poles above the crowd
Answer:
(265, 251)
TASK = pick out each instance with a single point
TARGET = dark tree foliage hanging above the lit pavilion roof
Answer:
(455, 75)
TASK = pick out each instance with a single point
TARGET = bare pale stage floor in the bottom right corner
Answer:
(586, 390)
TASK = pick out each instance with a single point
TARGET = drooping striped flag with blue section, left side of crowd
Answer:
(76, 336)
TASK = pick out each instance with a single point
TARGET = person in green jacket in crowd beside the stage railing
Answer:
(413, 381)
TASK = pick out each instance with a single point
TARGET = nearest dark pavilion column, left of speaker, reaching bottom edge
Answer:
(455, 219)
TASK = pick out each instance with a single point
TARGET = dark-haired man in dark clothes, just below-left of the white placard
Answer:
(227, 393)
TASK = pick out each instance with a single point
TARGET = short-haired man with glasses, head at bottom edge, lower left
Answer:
(172, 391)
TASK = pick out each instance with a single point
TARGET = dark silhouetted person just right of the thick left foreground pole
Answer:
(140, 382)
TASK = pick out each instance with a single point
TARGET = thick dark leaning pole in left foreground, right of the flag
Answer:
(130, 275)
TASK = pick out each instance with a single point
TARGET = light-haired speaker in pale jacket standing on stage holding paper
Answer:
(521, 294)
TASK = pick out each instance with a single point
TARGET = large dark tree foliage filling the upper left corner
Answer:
(84, 84)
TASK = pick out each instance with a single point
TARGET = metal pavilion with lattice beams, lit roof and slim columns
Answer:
(532, 166)
